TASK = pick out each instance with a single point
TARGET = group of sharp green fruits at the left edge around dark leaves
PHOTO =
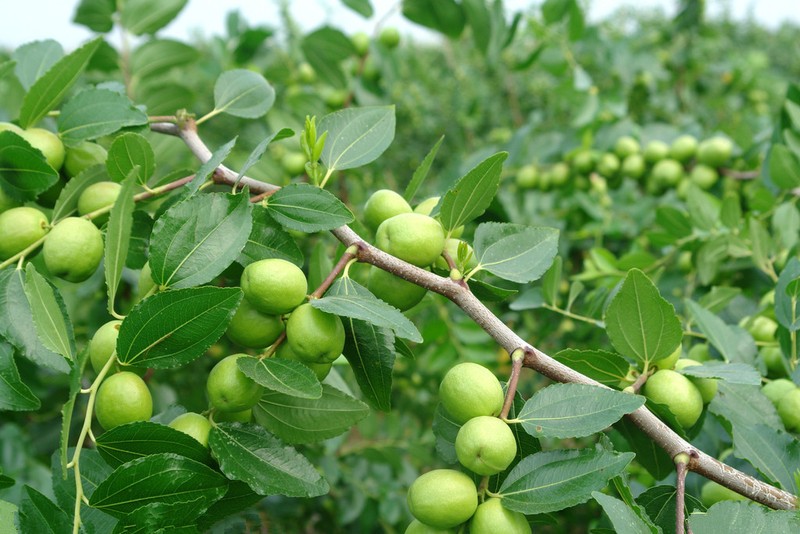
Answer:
(73, 247)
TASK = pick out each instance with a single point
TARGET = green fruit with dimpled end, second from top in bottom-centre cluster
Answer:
(485, 445)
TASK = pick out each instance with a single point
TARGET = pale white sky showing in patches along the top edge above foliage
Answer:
(25, 21)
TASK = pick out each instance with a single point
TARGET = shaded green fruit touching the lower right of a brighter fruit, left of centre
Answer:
(315, 336)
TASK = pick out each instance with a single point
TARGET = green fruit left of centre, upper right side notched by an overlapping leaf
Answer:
(229, 389)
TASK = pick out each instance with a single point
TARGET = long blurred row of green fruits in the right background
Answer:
(677, 165)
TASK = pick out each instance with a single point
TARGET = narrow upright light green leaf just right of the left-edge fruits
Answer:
(118, 236)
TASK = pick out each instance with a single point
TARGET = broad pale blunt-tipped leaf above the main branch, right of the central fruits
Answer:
(515, 252)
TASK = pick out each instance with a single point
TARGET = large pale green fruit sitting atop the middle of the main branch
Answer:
(412, 237)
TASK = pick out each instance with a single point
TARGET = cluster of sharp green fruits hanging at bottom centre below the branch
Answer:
(443, 499)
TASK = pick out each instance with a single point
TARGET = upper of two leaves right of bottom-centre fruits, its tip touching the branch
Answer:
(575, 410)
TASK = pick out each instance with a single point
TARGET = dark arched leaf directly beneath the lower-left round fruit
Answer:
(132, 441)
